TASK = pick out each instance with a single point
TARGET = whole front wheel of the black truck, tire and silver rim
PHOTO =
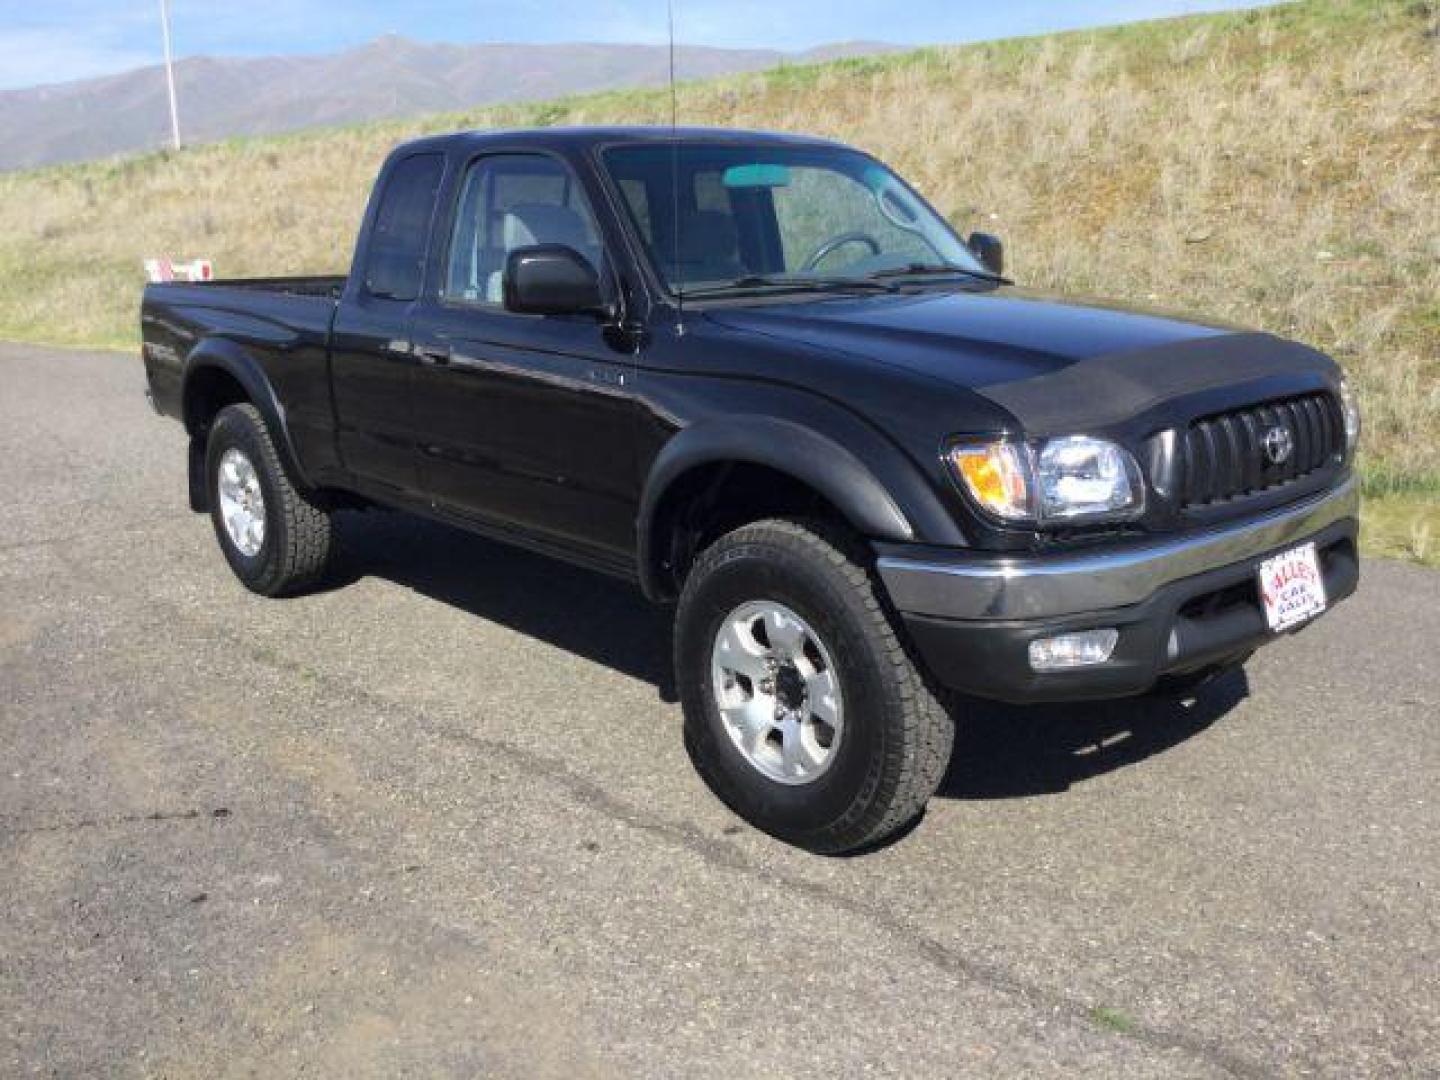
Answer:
(804, 711)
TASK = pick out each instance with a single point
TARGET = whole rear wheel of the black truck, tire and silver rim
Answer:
(274, 538)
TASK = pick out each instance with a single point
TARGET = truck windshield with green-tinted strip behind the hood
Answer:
(722, 217)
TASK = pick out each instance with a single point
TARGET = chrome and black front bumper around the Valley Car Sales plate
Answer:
(1180, 604)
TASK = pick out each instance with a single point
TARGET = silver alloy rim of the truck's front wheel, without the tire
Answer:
(778, 692)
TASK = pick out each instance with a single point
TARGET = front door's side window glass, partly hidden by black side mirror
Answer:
(508, 202)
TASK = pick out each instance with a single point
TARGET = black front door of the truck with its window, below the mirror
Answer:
(529, 423)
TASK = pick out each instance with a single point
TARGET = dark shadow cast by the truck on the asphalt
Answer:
(1000, 751)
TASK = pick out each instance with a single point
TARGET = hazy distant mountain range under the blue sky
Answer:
(391, 77)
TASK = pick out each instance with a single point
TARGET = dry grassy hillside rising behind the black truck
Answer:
(1278, 169)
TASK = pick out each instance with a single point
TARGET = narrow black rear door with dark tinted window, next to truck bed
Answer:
(371, 361)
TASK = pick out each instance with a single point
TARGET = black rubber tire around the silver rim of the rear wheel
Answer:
(299, 534)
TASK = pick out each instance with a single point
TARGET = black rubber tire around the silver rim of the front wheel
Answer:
(898, 734)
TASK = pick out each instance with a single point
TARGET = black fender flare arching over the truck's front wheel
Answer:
(784, 446)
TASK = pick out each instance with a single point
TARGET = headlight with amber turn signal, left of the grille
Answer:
(1069, 479)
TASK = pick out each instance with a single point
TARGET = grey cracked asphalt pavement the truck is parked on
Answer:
(438, 822)
